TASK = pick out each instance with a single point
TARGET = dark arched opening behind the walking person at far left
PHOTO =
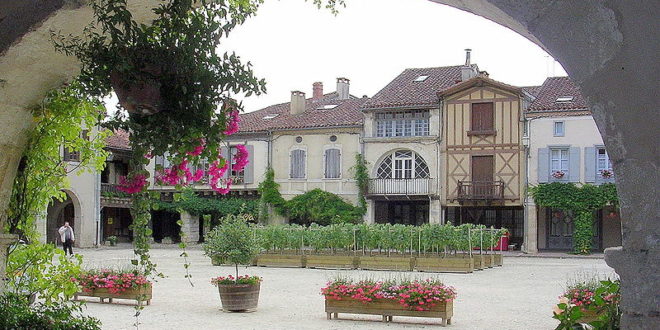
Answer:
(58, 212)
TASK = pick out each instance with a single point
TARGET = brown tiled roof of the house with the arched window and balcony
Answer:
(404, 91)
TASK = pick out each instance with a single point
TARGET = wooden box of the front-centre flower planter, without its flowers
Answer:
(387, 308)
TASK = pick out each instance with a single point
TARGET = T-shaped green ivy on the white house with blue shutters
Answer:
(582, 200)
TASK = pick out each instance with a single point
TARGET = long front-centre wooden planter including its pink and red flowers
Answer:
(427, 298)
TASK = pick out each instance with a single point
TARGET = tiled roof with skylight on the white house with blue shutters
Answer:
(553, 88)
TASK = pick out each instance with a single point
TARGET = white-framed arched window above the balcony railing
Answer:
(403, 164)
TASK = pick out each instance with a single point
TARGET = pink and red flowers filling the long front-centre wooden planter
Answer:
(420, 295)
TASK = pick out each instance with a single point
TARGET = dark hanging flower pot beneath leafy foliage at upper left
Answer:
(141, 95)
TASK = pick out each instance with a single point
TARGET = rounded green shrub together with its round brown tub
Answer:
(235, 242)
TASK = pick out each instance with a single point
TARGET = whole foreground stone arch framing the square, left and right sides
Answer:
(608, 47)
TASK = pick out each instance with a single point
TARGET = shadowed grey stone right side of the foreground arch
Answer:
(610, 49)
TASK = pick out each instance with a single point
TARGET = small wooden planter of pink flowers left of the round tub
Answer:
(114, 284)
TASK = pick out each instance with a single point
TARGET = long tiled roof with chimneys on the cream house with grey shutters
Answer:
(346, 113)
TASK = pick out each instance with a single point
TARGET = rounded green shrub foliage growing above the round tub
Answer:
(233, 241)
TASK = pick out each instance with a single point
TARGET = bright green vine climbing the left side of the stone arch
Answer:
(43, 172)
